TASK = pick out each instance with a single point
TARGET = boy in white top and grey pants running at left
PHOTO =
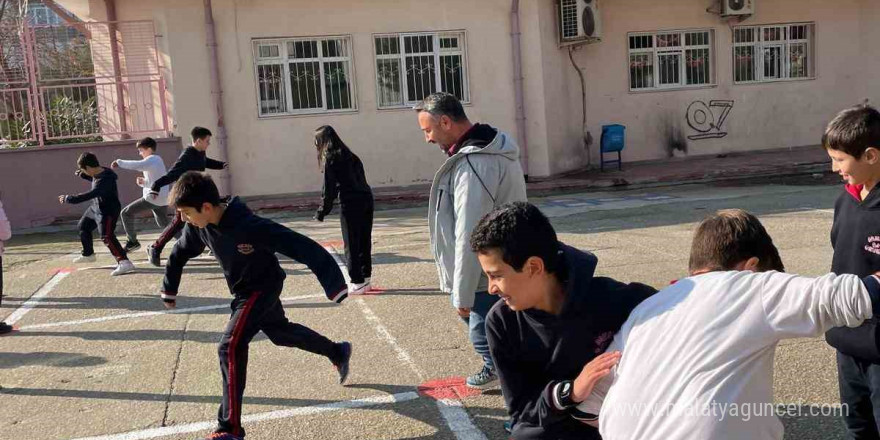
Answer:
(153, 168)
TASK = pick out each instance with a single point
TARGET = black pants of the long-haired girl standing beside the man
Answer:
(357, 231)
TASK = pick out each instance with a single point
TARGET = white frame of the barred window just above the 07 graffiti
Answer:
(681, 50)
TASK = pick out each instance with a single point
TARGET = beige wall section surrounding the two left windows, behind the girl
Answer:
(276, 156)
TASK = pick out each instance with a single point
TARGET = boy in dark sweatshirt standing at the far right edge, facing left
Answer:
(852, 140)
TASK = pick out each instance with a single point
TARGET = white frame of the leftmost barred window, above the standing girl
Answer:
(283, 59)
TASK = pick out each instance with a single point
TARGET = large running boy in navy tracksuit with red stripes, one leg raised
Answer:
(245, 245)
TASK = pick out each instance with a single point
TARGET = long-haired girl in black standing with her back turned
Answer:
(344, 175)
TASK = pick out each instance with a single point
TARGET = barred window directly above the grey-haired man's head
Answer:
(410, 67)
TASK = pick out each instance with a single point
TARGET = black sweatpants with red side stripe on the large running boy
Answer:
(250, 315)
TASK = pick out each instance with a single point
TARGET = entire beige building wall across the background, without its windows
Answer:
(275, 156)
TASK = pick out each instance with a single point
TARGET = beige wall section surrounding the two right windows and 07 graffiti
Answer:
(771, 115)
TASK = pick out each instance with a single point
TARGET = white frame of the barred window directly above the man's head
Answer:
(437, 53)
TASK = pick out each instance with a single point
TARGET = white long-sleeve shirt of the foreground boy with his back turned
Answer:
(697, 357)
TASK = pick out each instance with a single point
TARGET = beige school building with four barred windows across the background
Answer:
(686, 77)
